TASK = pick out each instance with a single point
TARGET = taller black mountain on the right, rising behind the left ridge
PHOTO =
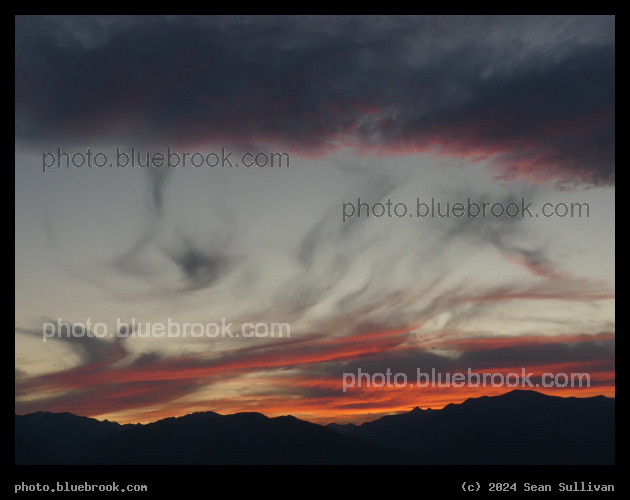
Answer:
(516, 428)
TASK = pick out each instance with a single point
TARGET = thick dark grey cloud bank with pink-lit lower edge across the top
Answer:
(536, 94)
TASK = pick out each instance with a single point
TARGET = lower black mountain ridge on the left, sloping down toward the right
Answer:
(198, 438)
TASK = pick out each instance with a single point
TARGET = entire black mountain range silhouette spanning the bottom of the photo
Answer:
(520, 427)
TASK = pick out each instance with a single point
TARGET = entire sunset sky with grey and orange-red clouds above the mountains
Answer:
(361, 109)
